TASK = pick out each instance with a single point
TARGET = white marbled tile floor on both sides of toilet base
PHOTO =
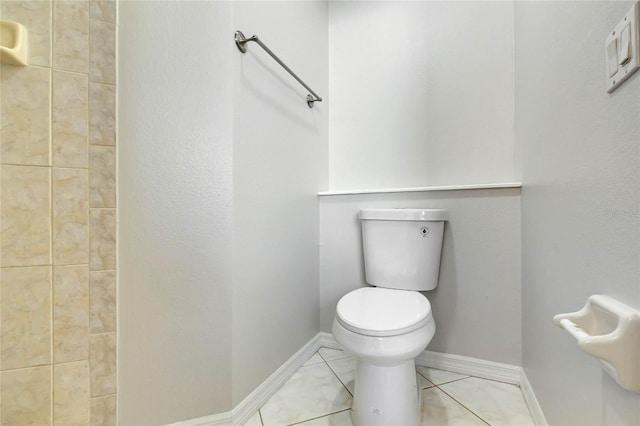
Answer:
(319, 394)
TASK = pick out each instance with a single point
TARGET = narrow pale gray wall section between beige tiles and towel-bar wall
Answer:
(175, 159)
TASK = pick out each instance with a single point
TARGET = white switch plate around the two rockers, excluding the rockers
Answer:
(624, 71)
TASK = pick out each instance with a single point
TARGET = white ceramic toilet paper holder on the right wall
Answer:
(610, 331)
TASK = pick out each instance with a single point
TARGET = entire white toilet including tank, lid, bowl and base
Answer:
(386, 326)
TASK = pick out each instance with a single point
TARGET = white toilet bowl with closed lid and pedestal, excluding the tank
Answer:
(384, 346)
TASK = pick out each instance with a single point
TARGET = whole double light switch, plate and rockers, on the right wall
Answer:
(622, 50)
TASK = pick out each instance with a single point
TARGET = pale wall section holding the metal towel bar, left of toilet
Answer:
(280, 156)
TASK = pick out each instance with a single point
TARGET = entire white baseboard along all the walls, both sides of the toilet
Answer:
(454, 363)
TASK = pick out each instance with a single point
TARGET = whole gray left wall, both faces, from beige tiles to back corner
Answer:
(220, 163)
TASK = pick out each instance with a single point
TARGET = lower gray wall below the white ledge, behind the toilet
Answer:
(477, 303)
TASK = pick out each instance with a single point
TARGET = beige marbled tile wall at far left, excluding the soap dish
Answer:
(58, 217)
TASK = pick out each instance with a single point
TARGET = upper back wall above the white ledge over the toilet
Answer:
(421, 93)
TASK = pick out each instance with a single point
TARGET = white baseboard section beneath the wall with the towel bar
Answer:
(256, 399)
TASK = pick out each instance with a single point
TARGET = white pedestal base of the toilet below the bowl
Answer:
(386, 396)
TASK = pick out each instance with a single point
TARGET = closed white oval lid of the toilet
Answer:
(383, 311)
